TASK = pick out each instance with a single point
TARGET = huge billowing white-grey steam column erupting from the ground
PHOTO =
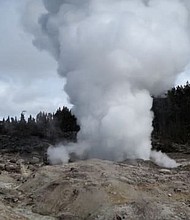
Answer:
(114, 54)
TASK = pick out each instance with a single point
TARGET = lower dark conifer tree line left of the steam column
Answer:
(61, 124)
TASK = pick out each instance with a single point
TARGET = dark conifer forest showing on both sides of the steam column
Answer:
(171, 120)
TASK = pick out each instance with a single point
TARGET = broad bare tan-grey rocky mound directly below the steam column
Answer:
(104, 190)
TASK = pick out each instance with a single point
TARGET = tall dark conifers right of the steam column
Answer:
(172, 115)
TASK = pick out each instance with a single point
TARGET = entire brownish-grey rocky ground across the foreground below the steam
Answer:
(92, 189)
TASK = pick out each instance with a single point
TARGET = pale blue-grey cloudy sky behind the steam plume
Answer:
(28, 78)
